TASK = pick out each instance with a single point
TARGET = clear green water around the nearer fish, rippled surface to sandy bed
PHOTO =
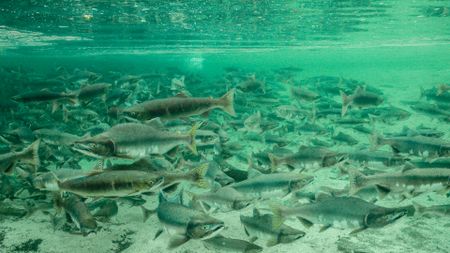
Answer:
(400, 49)
